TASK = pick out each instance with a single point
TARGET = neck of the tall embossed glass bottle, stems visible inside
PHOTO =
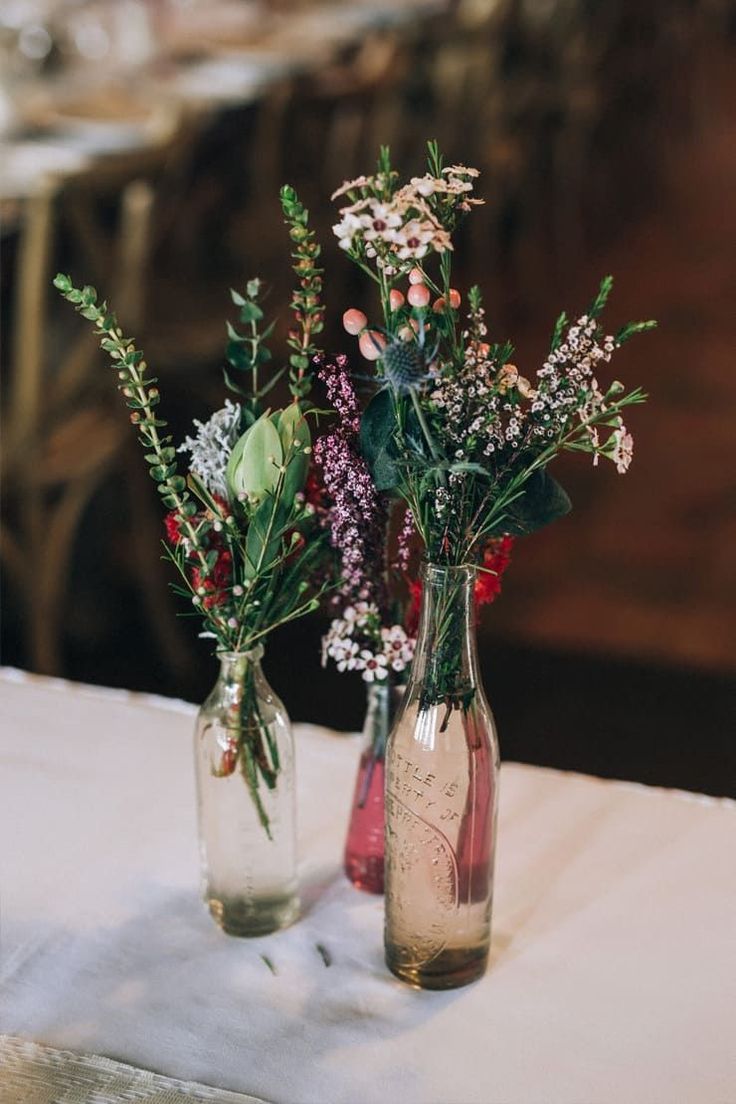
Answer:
(445, 666)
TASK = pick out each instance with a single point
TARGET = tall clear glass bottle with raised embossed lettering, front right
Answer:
(442, 797)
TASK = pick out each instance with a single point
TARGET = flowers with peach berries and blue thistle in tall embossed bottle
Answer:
(455, 430)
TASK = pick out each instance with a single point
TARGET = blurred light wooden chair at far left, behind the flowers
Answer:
(65, 428)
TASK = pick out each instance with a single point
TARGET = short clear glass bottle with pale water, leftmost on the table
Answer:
(247, 801)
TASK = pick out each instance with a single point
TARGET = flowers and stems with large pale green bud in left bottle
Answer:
(246, 543)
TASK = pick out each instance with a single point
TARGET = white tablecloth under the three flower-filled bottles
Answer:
(612, 980)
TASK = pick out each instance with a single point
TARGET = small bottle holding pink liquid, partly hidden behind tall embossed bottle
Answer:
(365, 846)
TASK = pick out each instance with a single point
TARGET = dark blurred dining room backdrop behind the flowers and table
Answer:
(143, 144)
